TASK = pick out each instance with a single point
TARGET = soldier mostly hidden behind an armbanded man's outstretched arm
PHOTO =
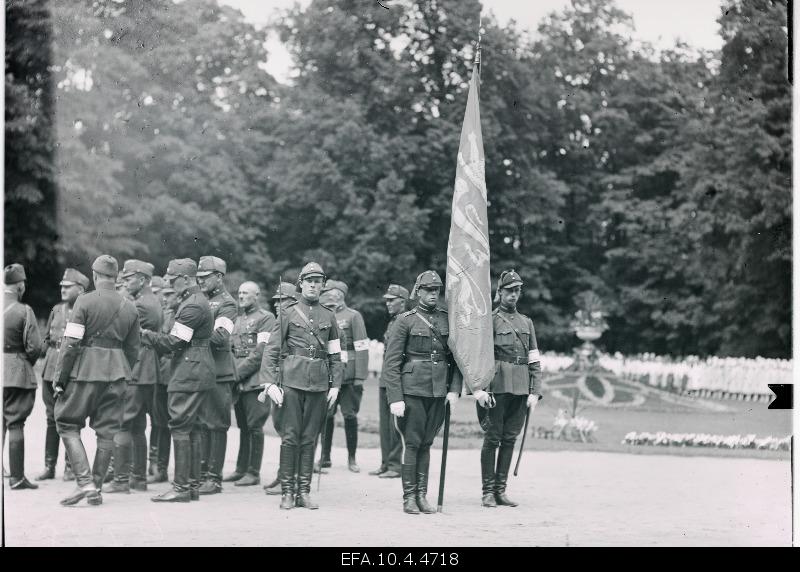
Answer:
(159, 432)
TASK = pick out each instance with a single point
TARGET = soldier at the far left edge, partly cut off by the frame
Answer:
(22, 345)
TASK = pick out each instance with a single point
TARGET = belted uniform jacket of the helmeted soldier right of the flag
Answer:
(524, 376)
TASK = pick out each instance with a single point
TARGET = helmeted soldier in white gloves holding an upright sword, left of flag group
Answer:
(308, 334)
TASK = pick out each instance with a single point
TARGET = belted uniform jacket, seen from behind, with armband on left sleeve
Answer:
(101, 339)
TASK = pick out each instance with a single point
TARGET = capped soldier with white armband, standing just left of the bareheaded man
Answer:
(215, 416)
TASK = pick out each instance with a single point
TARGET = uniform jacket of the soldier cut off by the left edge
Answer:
(22, 344)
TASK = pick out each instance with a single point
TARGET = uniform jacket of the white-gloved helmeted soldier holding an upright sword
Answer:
(292, 336)
